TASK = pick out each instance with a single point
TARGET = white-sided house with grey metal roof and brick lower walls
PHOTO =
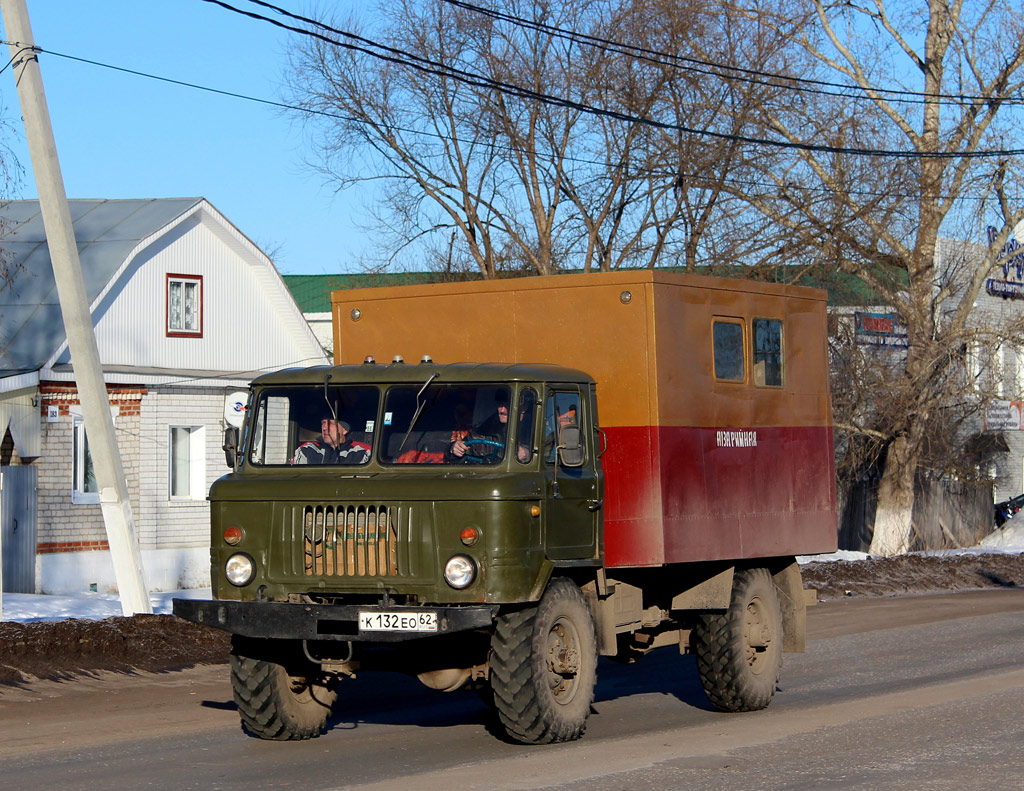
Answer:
(187, 310)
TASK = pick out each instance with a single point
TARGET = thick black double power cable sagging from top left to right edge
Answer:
(393, 55)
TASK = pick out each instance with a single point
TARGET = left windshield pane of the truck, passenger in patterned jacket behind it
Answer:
(314, 426)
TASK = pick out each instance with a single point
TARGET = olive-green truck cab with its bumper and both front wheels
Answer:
(410, 517)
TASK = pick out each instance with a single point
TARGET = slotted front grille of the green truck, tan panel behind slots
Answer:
(350, 542)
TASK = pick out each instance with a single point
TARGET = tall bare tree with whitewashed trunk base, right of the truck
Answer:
(943, 86)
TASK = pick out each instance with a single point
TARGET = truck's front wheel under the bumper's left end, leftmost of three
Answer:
(279, 703)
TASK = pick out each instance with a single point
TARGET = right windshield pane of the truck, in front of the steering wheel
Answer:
(454, 425)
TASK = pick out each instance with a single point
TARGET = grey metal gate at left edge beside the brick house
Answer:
(18, 522)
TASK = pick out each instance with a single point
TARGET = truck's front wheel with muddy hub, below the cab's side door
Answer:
(544, 668)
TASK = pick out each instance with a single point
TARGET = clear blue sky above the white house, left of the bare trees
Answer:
(120, 136)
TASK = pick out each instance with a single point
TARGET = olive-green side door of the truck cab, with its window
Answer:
(573, 510)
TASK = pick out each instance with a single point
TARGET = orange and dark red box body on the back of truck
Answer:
(714, 396)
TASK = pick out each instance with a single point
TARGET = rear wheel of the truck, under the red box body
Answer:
(740, 653)
